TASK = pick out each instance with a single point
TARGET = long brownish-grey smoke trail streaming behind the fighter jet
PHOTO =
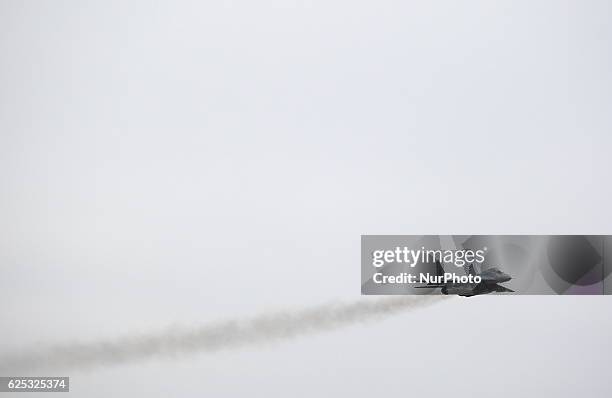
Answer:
(262, 329)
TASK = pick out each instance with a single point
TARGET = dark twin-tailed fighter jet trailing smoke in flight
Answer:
(489, 282)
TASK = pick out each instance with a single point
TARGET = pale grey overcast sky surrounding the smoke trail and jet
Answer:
(182, 162)
